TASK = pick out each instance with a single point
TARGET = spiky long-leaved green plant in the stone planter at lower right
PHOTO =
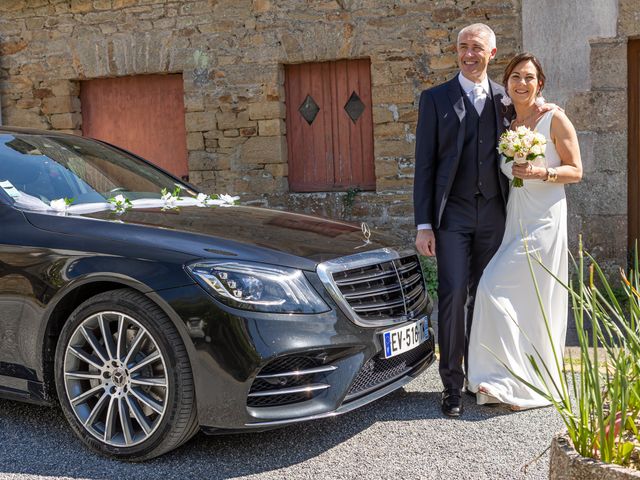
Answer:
(601, 413)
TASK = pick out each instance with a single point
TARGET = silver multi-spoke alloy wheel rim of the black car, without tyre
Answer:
(115, 378)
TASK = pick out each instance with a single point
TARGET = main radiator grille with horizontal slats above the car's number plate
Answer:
(388, 290)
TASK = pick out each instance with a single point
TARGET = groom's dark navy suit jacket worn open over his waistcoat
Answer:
(440, 138)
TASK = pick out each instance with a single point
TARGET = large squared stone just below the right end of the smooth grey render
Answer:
(608, 65)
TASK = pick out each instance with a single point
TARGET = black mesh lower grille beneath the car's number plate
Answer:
(377, 371)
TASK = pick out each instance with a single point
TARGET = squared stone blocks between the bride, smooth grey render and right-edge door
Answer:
(599, 203)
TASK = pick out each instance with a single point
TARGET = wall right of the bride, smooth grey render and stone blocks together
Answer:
(585, 63)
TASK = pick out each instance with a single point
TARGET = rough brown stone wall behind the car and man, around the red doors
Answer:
(231, 54)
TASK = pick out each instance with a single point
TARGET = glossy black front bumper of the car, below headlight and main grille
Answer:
(231, 348)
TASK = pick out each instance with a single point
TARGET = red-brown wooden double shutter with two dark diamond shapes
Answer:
(330, 126)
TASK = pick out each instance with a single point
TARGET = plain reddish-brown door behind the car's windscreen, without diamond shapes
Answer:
(143, 114)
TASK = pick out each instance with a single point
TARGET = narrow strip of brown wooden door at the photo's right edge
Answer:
(634, 141)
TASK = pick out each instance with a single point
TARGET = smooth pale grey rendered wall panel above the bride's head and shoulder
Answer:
(558, 33)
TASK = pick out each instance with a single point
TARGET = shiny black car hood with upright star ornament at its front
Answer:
(239, 231)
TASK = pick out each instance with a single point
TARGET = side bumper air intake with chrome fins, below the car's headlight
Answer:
(288, 380)
